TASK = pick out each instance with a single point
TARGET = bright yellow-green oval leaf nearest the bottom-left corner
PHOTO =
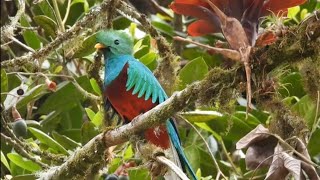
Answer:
(23, 162)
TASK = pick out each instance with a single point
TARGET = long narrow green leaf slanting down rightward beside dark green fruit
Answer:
(45, 139)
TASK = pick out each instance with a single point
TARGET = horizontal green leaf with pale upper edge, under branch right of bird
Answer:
(201, 116)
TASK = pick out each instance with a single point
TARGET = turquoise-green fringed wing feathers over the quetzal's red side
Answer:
(143, 82)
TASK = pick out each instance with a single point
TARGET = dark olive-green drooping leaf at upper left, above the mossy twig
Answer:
(49, 26)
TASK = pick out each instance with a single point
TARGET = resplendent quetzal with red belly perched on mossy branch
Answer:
(132, 89)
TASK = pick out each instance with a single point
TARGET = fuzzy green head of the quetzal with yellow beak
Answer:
(114, 43)
